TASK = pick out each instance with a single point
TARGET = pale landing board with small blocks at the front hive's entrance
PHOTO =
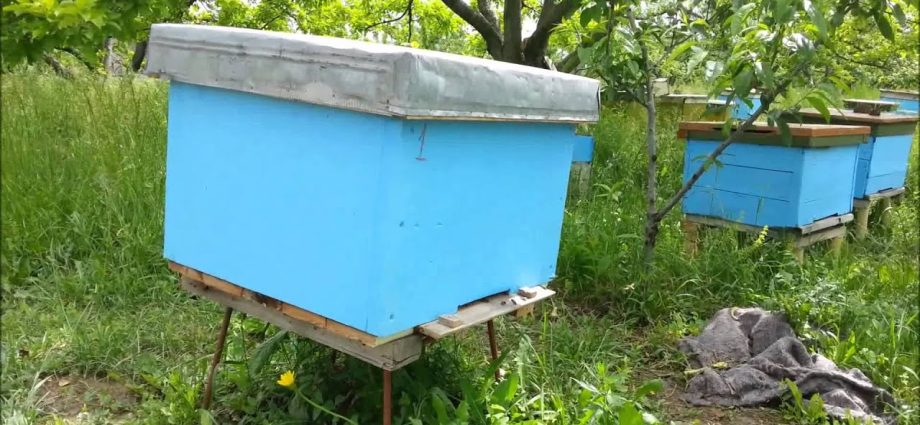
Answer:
(485, 310)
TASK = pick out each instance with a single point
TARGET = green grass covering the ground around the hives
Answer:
(86, 294)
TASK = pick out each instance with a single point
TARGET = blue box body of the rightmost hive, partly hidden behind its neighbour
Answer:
(886, 167)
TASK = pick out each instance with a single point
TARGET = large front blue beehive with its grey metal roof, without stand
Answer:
(374, 185)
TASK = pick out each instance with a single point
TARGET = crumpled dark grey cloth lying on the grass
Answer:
(758, 350)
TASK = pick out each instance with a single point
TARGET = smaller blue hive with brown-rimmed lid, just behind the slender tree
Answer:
(763, 180)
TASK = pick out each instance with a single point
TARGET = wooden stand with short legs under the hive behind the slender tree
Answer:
(831, 229)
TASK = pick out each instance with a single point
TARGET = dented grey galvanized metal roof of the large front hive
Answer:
(374, 78)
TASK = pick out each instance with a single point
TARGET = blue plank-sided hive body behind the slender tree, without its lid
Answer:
(771, 185)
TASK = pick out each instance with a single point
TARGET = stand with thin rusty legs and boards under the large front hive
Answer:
(388, 353)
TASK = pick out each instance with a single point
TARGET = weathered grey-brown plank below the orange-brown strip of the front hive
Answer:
(391, 355)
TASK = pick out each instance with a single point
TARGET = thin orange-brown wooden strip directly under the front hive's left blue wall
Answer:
(216, 284)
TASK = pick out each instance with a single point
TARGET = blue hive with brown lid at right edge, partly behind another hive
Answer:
(883, 160)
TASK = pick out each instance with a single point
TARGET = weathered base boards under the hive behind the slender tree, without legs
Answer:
(828, 228)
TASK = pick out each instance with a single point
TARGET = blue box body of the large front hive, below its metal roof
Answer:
(378, 223)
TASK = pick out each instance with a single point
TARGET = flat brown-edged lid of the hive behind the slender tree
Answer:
(803, 135)
